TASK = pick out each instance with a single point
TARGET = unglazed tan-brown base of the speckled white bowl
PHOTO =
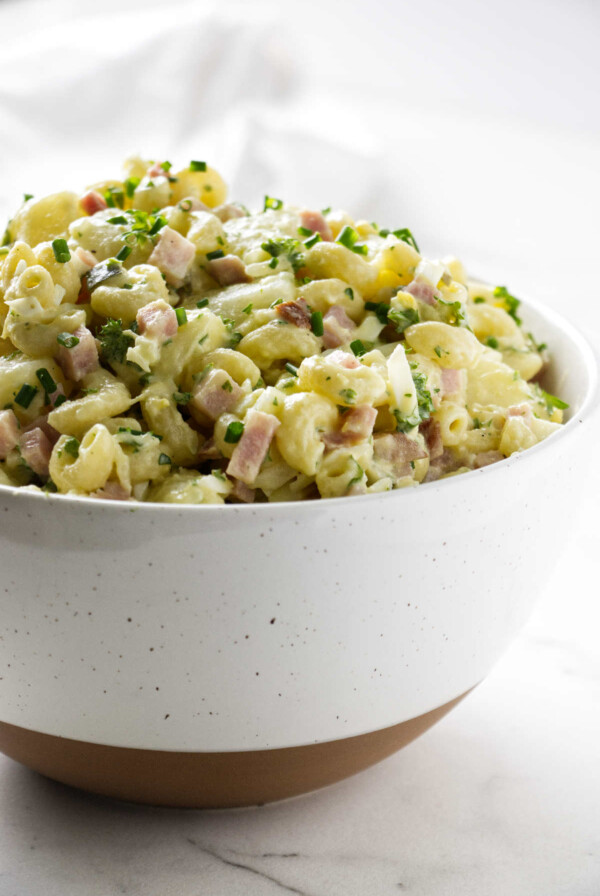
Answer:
(207, 780)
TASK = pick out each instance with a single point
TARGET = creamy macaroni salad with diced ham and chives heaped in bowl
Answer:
(161, 344)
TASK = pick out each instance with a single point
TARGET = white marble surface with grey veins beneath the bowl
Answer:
(501, 797)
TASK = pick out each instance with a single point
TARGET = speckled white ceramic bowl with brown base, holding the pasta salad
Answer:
(213, 656)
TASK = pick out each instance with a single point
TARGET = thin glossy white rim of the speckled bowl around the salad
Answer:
(590, 404)
